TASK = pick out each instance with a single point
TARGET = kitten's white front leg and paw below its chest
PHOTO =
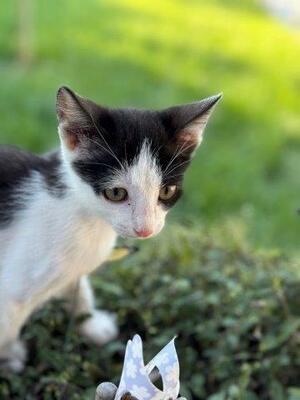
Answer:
(101, 326)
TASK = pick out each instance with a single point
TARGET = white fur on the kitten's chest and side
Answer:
(49, 246)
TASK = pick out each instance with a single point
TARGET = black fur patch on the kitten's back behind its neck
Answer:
(15, 167)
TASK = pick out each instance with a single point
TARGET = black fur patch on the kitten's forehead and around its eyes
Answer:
(118, 138)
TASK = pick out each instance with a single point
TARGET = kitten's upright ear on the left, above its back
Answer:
(75, 117)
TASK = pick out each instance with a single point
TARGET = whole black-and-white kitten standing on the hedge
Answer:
(118, 172)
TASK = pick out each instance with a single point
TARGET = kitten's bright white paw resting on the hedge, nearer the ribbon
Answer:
(100, 328)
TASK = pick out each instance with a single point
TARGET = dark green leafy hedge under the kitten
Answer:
(235, 311)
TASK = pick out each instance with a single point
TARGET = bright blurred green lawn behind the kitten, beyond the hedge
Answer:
(154, 54)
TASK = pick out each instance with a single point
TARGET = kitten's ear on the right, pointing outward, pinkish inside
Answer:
(186, 123)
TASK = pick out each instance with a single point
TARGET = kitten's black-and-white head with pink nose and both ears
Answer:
(127, 165)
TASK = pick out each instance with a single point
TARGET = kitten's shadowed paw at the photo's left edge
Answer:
(14, 357)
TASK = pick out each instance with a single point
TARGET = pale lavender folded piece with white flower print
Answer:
(135, 375)
